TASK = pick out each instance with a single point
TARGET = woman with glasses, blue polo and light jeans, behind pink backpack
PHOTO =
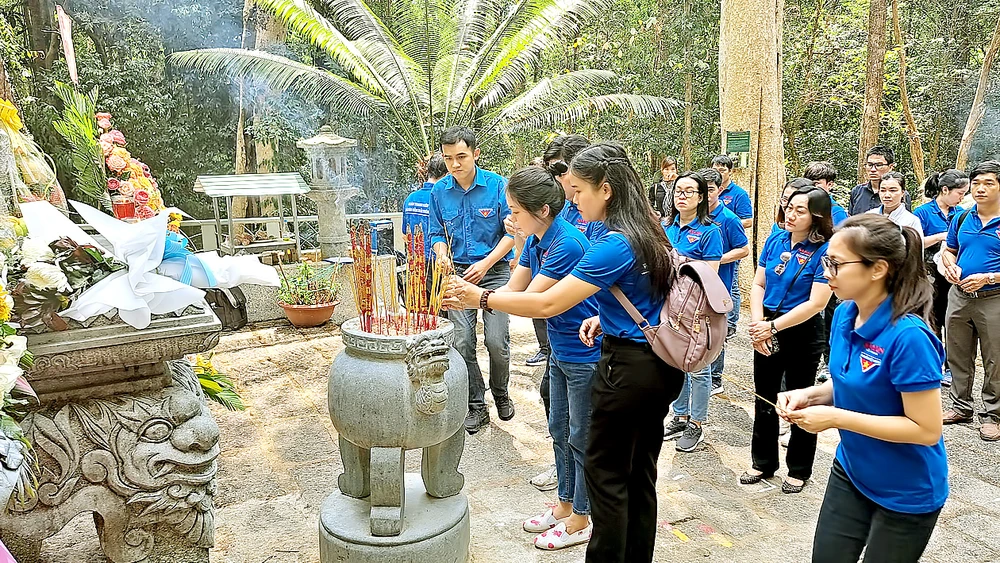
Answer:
(692, 233)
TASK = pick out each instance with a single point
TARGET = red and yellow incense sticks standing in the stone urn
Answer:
(375, 290)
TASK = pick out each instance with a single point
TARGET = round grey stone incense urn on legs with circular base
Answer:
(388, 394)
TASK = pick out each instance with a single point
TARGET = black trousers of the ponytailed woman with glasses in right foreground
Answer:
(849, 521)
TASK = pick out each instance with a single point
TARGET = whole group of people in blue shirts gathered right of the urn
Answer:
(587, 226)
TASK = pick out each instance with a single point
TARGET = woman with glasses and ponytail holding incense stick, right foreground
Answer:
(890, 476)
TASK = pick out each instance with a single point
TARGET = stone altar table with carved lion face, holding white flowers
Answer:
(122, 432)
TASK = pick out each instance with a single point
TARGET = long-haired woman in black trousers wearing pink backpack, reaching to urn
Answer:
(632, 388)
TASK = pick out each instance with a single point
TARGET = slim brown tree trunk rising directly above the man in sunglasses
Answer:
(873, 84)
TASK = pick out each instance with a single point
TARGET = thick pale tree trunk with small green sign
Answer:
(753, 59)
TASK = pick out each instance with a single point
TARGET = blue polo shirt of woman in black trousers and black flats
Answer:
(807, 255)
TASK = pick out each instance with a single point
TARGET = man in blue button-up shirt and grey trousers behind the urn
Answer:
(466, 213)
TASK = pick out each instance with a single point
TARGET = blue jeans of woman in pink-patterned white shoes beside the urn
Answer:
(569, 421)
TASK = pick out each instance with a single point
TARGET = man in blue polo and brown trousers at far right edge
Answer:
(971, 262)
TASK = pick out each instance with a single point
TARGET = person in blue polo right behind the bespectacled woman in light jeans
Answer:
(735, 245)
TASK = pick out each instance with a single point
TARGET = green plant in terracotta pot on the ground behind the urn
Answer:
(309, 295)
